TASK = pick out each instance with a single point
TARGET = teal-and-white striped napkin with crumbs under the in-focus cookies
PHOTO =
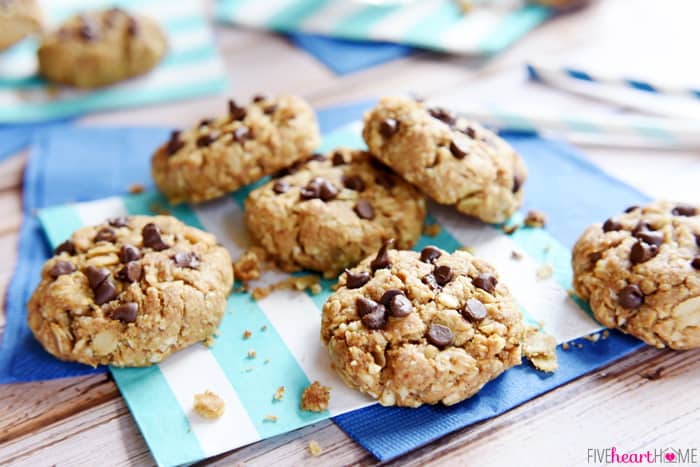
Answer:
(285, 326)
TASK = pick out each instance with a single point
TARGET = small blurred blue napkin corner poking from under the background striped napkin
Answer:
(347, 56)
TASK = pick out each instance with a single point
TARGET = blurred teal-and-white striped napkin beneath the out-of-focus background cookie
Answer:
(192, 66)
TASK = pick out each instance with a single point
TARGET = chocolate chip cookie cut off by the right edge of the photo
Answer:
(640, 271)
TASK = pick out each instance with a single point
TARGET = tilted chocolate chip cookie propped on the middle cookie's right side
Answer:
(454, 161)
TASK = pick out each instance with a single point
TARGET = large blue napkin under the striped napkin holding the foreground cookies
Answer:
(76, 164)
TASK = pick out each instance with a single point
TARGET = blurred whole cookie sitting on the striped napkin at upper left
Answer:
(103, 47)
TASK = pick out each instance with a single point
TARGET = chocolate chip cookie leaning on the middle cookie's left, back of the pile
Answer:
(220, 155)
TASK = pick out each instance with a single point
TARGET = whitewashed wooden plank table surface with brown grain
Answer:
(83, 421)
